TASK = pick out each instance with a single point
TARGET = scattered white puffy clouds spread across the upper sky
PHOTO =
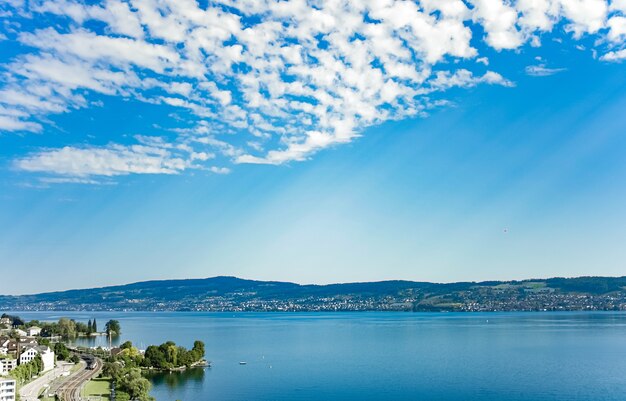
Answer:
(286, 78)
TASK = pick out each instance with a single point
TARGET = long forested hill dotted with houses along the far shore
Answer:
(234, 294)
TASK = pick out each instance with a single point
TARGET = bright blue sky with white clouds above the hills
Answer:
(317, 142)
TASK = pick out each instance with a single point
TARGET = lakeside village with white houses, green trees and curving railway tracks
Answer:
(39, 362)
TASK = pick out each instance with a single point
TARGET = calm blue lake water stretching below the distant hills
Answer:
(386, 356)
